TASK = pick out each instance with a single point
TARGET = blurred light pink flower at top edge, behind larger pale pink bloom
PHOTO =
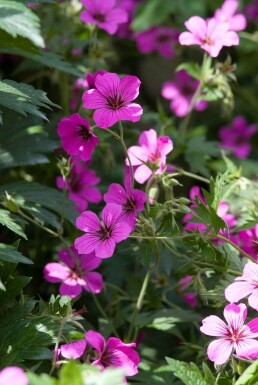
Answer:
(226, 14)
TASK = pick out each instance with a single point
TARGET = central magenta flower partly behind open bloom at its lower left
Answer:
(131, 201)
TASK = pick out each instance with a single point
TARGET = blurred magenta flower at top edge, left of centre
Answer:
(105, 14)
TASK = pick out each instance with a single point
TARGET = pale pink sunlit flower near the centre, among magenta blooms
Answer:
(153, 151)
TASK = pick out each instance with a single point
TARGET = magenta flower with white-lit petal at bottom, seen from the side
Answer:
(114, 352)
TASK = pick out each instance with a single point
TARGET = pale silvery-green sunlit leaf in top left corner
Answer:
(18, 20)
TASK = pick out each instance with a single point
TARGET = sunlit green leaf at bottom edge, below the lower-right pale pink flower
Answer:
(189, 373)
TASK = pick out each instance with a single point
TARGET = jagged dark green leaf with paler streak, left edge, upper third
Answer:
(23, 98)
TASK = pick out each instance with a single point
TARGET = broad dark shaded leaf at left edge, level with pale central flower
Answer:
(33, 144)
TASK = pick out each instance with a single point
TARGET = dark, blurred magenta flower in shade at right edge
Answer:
(236, 137)
